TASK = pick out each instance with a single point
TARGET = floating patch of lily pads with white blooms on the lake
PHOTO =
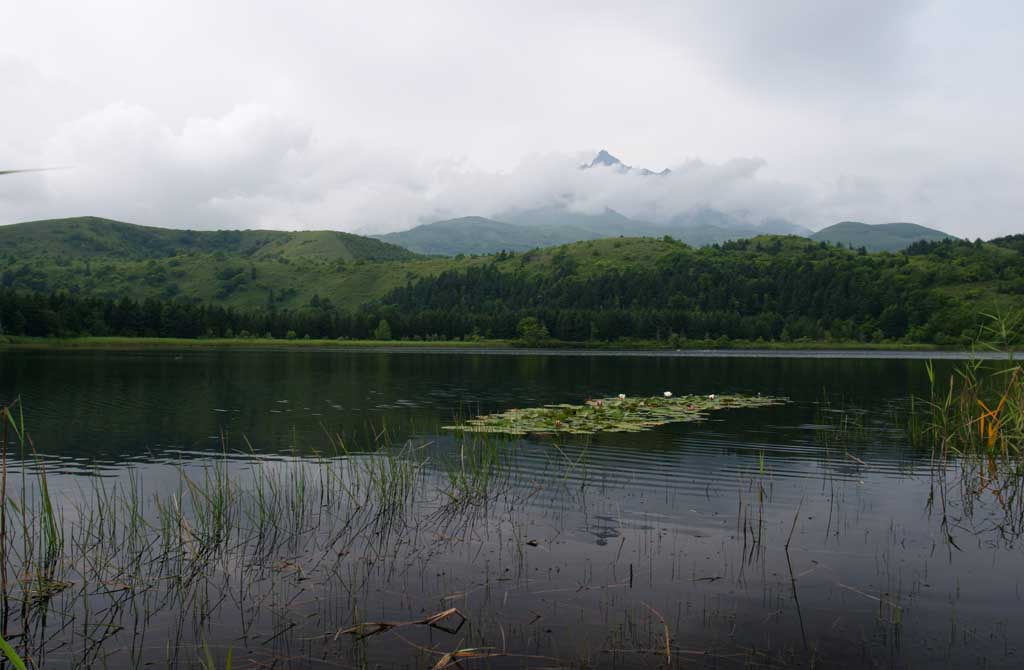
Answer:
(610, 414)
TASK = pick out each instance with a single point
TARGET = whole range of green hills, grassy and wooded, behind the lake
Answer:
(106, 278)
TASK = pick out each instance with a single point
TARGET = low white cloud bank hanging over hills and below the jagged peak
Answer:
(255, 169)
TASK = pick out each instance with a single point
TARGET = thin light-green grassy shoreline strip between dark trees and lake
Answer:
(651, 349)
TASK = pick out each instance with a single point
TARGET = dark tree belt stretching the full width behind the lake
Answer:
(745, 290)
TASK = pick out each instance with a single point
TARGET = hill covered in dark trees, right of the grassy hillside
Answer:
(741, 290)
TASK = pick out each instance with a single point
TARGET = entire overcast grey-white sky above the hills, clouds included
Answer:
(376, 117)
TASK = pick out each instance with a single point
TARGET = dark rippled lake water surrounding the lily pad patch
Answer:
(240, 502)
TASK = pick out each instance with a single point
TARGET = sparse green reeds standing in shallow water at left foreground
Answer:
(105, 562)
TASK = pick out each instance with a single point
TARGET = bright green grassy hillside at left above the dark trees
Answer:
(244, 269)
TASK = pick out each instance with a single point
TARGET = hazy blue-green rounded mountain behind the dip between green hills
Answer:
(477, 235)
